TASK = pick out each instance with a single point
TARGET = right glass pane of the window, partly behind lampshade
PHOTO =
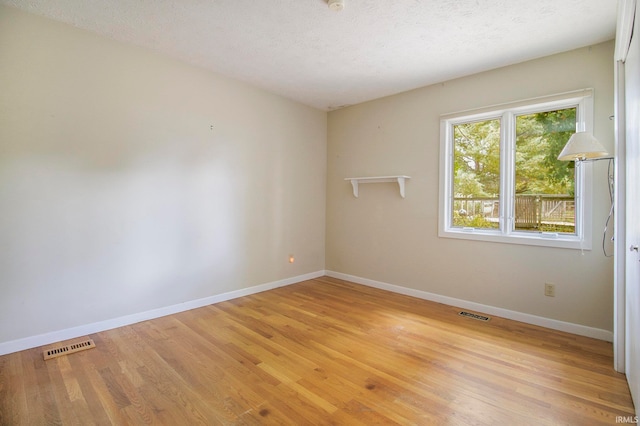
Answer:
(544, 186)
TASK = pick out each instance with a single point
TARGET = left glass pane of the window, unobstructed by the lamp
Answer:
(476, 174)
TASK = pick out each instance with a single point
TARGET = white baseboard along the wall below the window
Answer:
(568, 327)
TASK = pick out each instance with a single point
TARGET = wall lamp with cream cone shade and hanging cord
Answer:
(583, 146)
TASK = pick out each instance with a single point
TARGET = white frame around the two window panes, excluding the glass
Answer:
(583, 101)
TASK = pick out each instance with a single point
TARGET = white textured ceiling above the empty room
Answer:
(302, 50)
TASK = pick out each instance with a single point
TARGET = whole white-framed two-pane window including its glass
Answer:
(501, 180)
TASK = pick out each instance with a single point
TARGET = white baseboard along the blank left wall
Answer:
(83, 330)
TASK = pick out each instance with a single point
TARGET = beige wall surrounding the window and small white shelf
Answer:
(382, 237)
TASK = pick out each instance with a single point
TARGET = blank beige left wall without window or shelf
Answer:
(130, 181)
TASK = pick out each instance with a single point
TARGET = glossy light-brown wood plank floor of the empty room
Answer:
(319, 352)
